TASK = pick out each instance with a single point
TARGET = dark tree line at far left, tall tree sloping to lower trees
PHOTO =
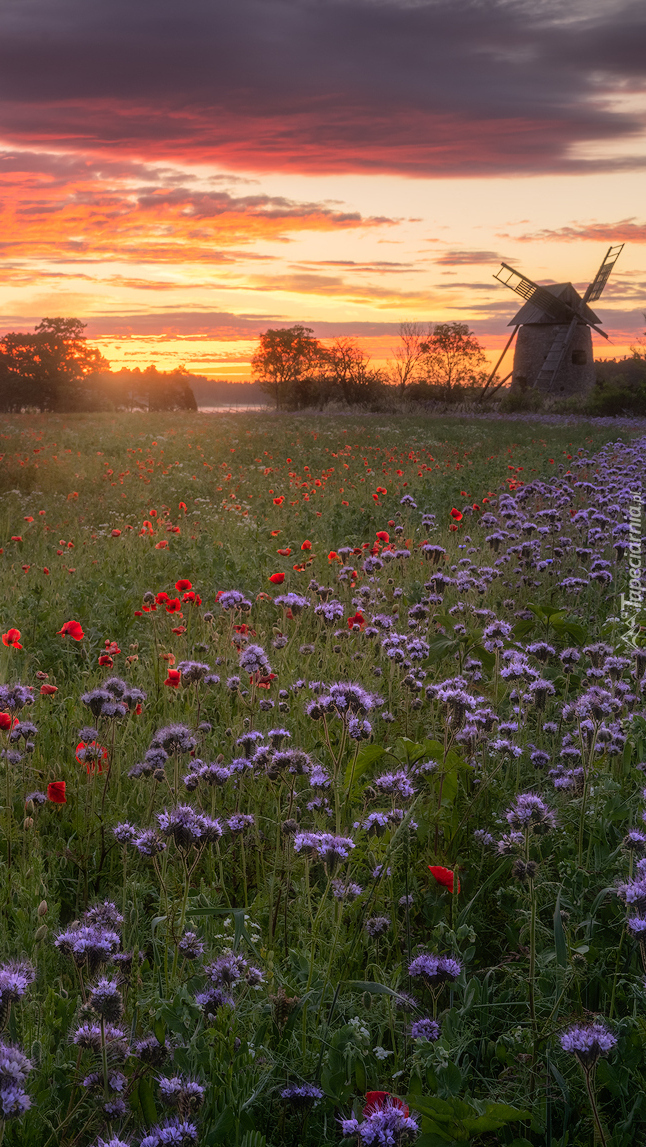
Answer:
(53, 369)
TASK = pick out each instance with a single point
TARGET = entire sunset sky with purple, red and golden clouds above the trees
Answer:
(183, 176)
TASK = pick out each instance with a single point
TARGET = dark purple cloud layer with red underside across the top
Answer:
(417, 87)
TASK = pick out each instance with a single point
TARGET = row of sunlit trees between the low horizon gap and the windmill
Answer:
(298, 371)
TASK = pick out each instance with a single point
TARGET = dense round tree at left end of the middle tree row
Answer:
(286, 364)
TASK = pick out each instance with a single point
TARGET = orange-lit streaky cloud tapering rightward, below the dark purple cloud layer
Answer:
(72, 210)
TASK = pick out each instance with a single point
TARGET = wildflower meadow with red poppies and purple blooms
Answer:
(322, 783)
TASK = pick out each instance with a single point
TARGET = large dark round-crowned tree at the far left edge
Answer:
(49, 369)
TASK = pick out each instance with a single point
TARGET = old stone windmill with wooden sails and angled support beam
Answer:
(554, 353)
